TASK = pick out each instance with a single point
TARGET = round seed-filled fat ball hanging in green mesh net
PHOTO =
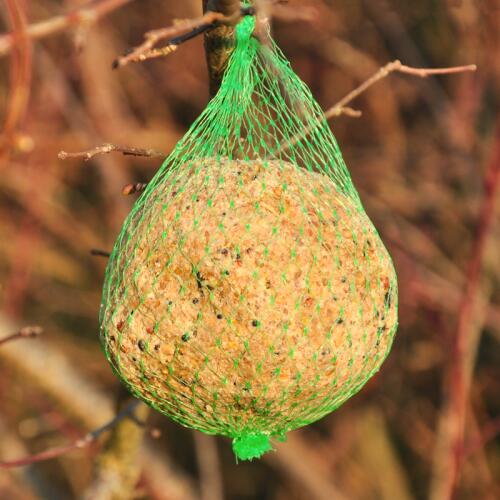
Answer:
(248, 293)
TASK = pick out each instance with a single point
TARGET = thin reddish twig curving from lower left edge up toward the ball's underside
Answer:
(84, 442)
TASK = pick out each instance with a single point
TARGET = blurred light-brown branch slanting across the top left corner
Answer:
(88, 14)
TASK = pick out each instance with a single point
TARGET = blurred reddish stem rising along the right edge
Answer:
(460, 371)
